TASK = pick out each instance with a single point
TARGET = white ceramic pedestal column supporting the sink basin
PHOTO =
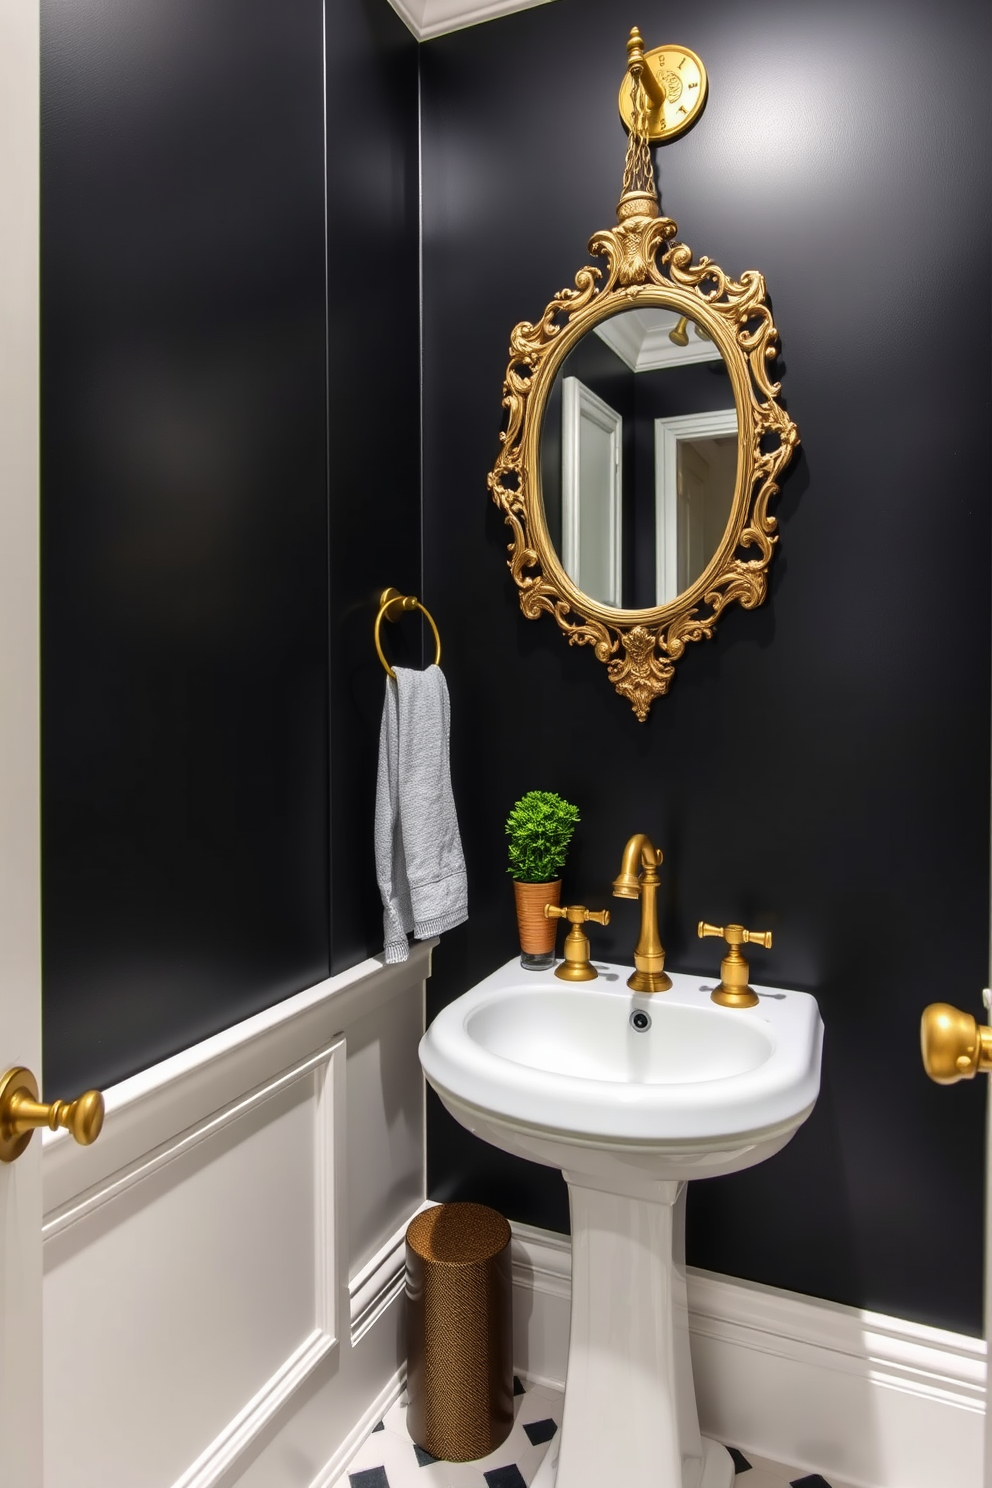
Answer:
(630, 1399)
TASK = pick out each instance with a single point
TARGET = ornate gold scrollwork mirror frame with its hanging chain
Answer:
(646, 267)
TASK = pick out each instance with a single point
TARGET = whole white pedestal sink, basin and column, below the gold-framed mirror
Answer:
(560, 1074)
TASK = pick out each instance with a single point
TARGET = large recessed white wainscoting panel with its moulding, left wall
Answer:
(224, 1243)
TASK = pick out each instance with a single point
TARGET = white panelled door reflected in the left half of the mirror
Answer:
(593, 492)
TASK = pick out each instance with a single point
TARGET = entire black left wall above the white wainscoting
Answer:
(203, 556)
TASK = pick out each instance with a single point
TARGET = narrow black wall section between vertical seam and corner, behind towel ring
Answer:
(374, 422)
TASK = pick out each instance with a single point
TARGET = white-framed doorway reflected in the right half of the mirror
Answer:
(695, 471)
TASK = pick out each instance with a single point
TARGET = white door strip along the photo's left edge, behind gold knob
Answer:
(20, 855)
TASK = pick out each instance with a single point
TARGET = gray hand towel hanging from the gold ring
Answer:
(419, 858)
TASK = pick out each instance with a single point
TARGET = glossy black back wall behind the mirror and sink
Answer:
(822, 769)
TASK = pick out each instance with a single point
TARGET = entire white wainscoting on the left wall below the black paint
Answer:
(199, 1301)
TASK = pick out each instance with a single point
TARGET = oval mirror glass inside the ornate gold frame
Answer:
(639, 458)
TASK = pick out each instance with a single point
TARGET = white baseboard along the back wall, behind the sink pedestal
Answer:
(875, 1401)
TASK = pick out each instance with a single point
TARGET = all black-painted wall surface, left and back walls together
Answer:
(231, 472)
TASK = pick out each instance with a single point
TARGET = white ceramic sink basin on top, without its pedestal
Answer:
(557, 1072)
